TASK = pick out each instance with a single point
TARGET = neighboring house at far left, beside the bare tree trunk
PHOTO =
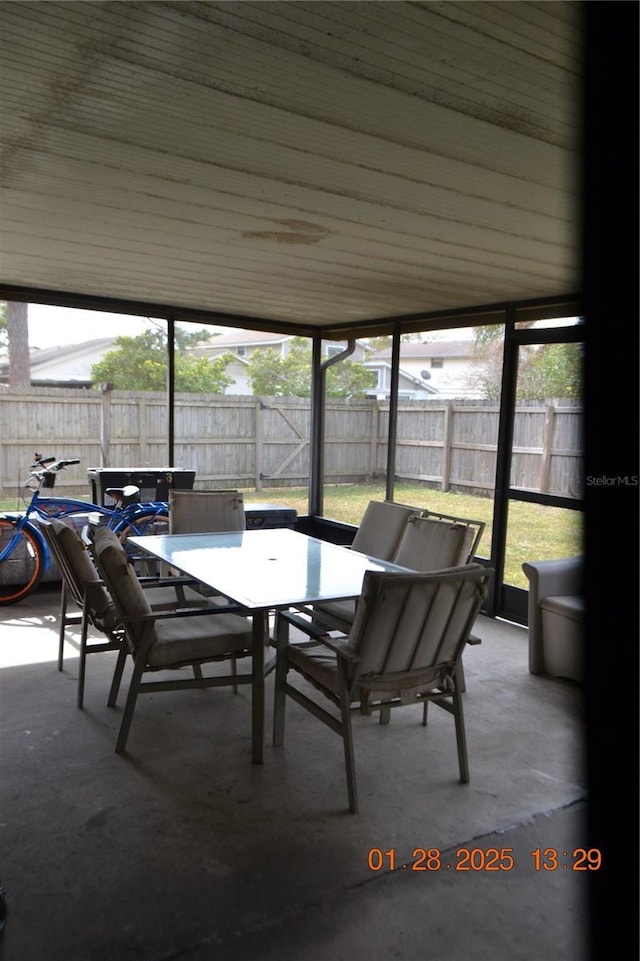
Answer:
(66, 366)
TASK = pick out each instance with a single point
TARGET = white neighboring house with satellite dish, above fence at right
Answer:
(446, 365)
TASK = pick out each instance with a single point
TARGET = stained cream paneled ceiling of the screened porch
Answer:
(296, 164)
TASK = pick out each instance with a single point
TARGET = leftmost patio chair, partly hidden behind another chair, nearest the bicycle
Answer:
(82, 585)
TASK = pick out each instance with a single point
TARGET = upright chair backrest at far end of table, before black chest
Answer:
(196, 512)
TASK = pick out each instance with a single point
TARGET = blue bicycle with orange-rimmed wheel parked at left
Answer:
(24, 553)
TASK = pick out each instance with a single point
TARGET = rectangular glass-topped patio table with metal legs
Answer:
(263, 571)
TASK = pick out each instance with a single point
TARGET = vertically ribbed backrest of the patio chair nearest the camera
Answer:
(415, 626)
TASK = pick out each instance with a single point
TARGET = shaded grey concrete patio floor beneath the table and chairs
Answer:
(182, 849)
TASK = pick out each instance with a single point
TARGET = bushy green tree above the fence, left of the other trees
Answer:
(140, 363)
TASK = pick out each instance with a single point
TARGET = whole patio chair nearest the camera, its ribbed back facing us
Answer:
(403, 648)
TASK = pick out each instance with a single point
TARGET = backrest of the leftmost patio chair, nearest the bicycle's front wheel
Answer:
(78, 570)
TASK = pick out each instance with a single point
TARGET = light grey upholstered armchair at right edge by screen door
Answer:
(556, 617)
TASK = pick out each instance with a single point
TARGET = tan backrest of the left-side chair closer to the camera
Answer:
(124, 587)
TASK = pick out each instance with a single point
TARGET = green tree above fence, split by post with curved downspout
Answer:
(271, 375)
